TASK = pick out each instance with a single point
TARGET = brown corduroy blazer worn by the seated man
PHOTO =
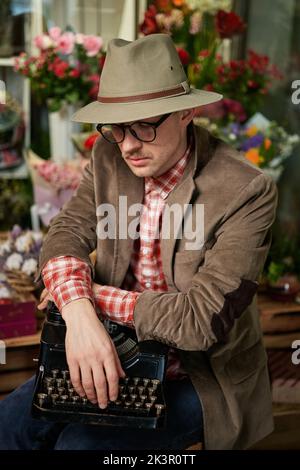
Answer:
(210, 311)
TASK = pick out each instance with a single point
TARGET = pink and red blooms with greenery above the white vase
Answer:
(67, 68)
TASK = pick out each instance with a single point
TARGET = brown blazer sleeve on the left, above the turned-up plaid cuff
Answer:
(73, 231)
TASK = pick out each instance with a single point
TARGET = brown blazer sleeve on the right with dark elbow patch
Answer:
(224, 284)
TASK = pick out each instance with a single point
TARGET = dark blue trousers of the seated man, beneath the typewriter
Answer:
(18, 430)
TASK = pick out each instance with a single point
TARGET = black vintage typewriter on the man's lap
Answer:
(140, 402)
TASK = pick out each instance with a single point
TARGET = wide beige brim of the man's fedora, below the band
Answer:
(109, 113)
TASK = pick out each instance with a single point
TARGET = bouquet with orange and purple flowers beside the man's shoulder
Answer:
(263, 142)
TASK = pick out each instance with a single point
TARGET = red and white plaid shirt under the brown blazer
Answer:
(68, 278)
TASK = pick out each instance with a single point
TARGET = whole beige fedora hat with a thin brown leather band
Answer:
(142, 79)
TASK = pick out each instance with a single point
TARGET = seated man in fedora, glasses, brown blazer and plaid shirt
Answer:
(194, 292)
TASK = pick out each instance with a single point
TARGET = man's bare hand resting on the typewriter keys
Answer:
(93, 361)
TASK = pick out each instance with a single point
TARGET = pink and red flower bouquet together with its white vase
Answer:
(65, 75)
